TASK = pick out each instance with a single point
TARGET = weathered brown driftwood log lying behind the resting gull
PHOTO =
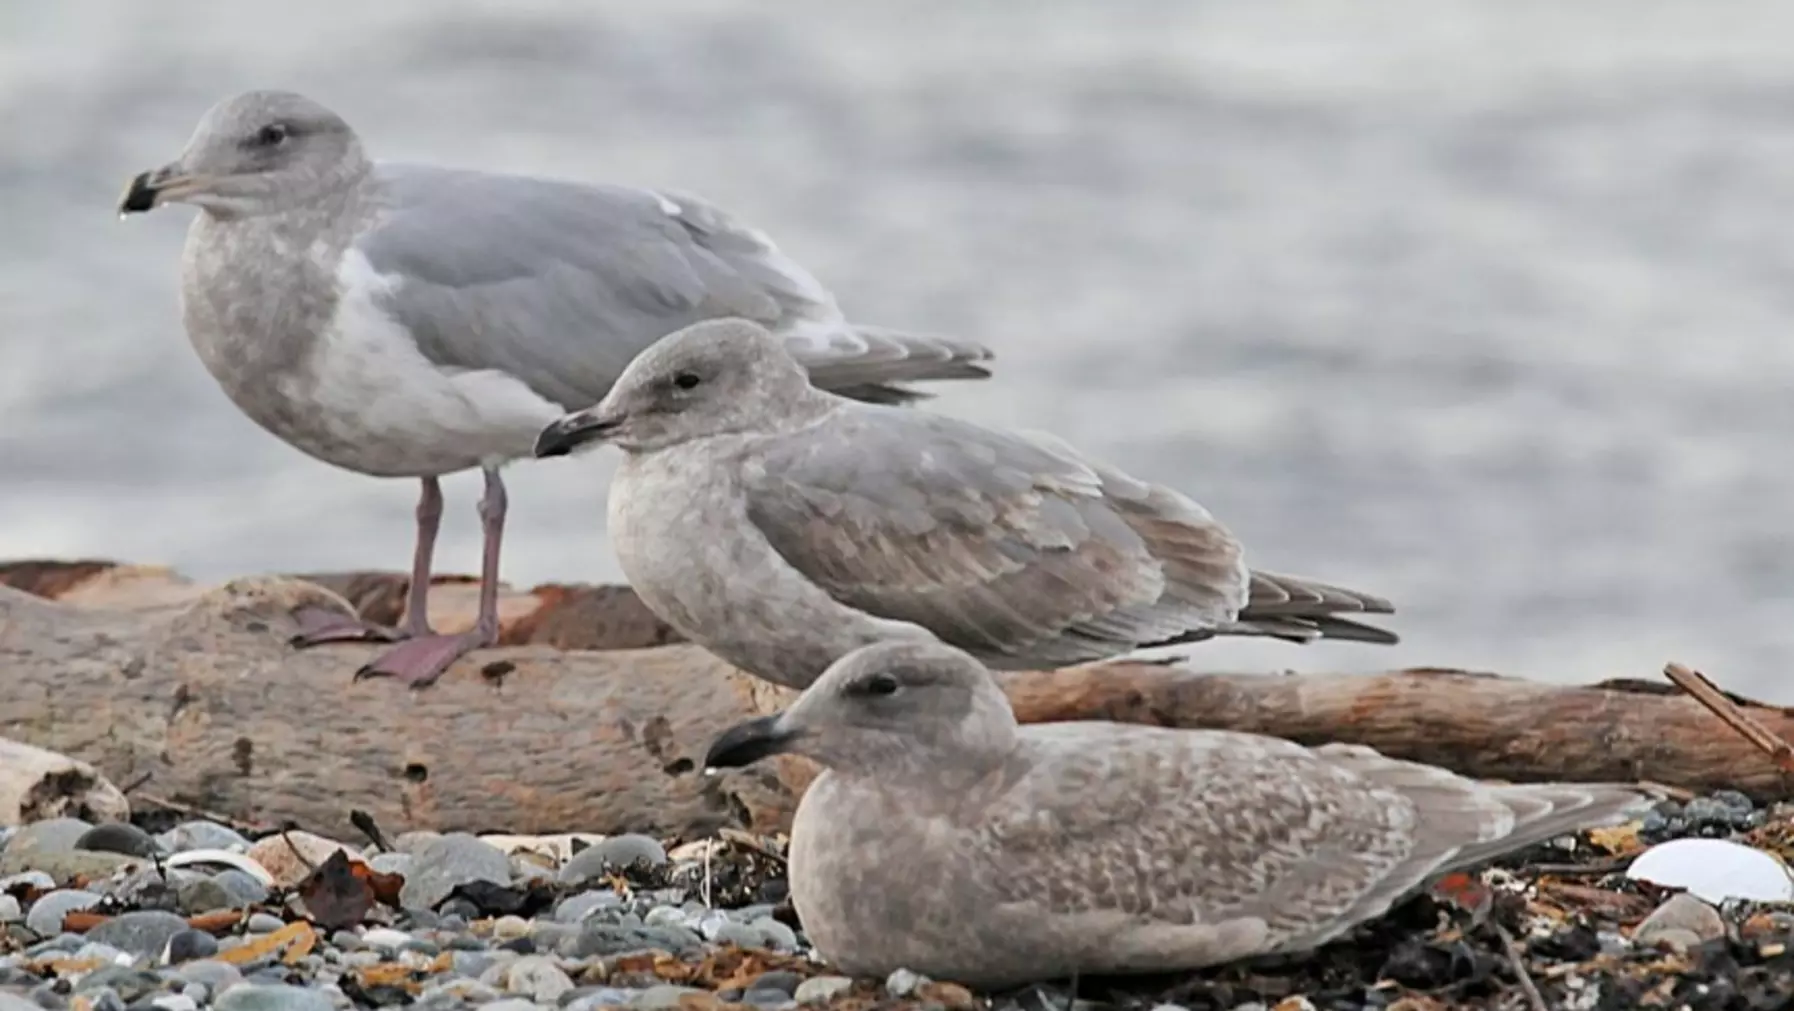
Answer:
(595, 718)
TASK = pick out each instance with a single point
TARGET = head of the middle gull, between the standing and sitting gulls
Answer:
(710, 379)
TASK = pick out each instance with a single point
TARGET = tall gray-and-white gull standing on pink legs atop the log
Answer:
(415, 322)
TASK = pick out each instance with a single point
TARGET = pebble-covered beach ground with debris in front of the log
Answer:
(177, 915)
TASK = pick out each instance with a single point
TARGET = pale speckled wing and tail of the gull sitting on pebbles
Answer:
(1228, 827)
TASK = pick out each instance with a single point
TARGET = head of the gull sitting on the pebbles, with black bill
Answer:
(898, 705)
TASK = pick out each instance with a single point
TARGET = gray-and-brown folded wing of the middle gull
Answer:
(1011, 548)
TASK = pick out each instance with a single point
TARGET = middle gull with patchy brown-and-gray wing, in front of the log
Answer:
(783, 526)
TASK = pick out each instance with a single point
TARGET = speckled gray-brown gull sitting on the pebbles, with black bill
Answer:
(946, 840)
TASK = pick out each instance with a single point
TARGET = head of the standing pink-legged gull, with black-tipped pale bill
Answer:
(256, 153)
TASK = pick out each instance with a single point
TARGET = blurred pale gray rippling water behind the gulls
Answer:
(1477, 306)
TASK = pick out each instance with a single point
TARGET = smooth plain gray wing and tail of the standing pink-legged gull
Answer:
(561, 284)
